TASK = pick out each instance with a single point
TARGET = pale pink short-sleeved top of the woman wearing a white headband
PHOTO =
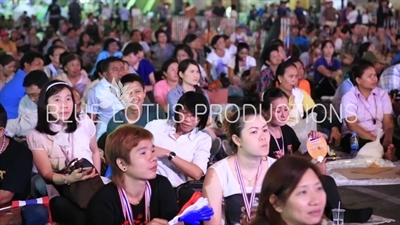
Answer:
(74, 145)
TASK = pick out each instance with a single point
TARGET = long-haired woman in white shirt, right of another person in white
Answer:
(241, 68)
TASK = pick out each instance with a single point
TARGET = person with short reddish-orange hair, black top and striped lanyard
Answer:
(136, 195)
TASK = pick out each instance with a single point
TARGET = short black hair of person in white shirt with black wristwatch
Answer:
(197, 104)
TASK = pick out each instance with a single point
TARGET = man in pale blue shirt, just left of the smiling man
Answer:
(104, 99)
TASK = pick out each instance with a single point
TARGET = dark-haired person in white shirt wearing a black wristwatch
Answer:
(182, 148)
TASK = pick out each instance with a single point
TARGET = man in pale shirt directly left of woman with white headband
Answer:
(27, 109)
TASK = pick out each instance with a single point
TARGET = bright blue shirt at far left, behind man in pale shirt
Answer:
(12, 93)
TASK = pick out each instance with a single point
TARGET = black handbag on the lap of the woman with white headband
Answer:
(82, 191)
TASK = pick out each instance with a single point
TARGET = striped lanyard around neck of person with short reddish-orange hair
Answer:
(126, 206)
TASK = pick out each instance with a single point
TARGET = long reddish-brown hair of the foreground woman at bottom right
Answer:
(281, 180)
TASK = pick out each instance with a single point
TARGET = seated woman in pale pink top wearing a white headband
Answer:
(61, 135)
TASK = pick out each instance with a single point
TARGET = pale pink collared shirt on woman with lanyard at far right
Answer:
(375, 107)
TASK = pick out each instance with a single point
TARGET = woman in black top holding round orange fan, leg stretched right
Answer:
(284, 141)
